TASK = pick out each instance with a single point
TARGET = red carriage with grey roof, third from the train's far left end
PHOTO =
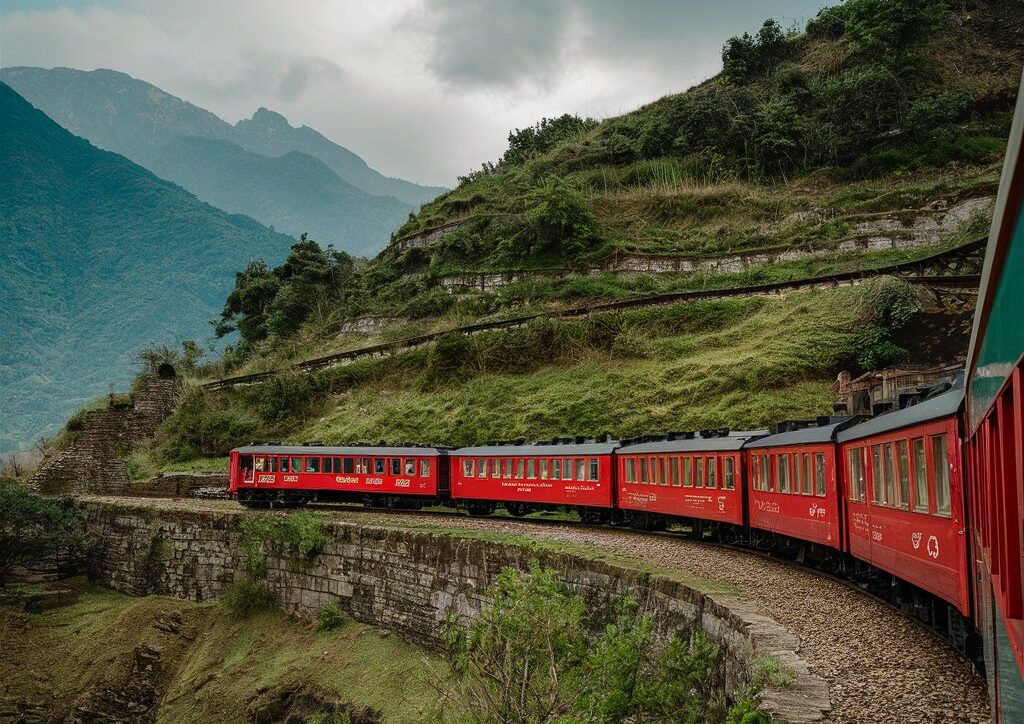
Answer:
(695, 479)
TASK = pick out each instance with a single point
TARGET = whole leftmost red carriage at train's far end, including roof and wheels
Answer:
(263, 476)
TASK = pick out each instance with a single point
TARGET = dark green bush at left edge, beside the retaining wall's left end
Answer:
(34, 529)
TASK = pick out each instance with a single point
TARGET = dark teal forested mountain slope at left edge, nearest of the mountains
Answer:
(99, 259)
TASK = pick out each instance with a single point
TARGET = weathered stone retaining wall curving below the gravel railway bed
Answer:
(411, 582)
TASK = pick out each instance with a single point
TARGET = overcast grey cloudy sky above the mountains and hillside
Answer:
(422, 90)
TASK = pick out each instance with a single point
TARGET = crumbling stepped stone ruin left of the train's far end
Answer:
(93, 462)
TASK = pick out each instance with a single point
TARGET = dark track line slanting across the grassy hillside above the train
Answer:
(912, 272)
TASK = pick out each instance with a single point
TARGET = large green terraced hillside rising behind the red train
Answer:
(873, 138)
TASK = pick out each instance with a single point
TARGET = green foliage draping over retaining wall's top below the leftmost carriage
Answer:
(298, 534)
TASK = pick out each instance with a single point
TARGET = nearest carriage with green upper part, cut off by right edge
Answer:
(996, 441)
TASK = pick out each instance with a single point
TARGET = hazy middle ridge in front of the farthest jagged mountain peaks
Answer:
(295, 193)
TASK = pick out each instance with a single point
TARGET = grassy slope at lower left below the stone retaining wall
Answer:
(219, 667)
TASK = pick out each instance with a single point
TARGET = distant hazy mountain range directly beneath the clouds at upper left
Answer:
(293, 180)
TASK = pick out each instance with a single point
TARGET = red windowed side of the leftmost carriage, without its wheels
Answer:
(412, 472)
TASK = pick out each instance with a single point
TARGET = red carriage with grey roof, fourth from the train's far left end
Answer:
(794, 486)
